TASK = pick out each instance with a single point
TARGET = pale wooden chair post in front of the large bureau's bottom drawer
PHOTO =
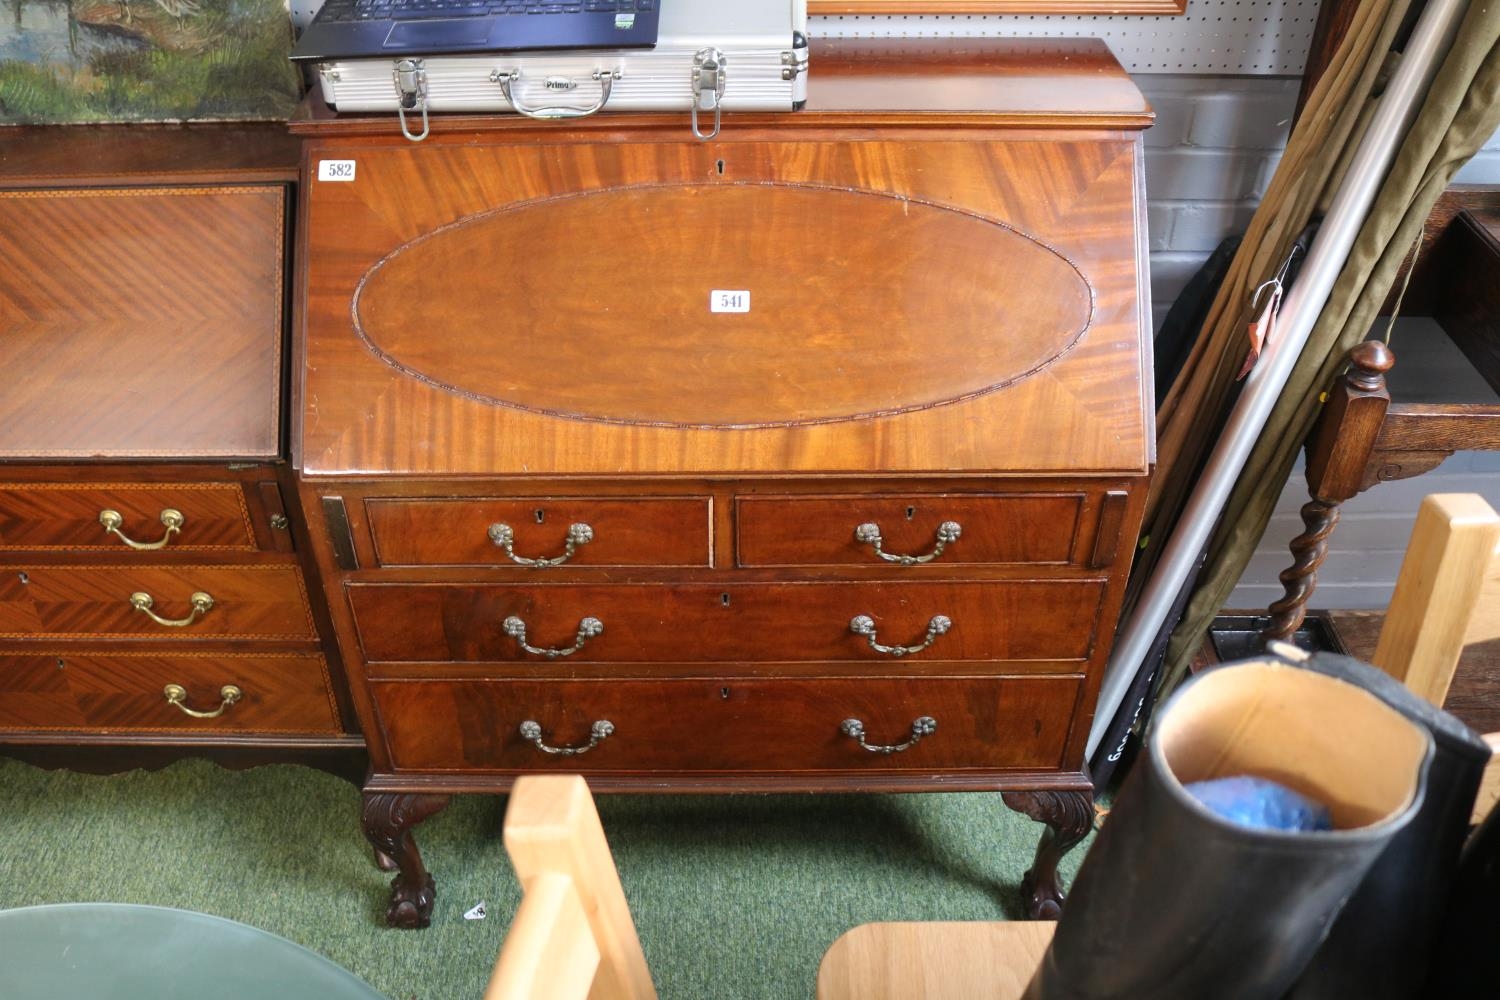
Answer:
(572, 938)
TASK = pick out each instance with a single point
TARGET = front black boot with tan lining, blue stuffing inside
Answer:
(1175, 903)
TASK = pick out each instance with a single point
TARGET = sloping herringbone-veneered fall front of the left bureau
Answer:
(148, 322)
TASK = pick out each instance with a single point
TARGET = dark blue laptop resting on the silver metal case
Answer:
(376, 29)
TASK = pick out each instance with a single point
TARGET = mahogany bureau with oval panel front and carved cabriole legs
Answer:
(809, 458)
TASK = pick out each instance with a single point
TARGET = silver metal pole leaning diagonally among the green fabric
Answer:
(1399, 107)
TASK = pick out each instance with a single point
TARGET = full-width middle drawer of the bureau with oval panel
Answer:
(700, 623)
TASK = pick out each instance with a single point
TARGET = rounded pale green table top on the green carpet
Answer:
(115, 951)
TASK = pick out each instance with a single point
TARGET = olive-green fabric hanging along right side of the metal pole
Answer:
(1460, 113)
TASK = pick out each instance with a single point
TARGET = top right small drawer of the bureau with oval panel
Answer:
(997, 528)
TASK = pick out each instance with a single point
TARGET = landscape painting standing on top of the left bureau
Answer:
(145, 61)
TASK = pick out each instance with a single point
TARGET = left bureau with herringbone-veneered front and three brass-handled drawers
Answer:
(152, 596)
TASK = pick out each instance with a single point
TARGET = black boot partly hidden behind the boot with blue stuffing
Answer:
(1382, 944)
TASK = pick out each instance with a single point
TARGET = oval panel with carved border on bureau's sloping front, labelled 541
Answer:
(818, 305)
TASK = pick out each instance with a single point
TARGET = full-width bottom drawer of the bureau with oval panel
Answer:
(727, 726)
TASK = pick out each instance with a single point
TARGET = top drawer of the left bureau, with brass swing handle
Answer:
(211, 516)
